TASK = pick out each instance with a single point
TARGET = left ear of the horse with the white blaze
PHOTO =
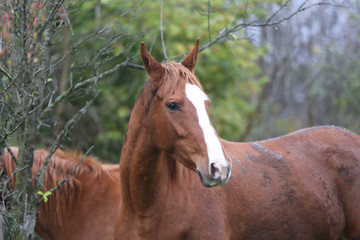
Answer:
(155, 70)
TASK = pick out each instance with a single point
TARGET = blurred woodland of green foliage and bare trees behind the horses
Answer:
(287, 65)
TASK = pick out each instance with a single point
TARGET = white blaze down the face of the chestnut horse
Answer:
(197, 97)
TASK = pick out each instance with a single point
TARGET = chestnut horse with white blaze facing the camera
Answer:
(305, 185)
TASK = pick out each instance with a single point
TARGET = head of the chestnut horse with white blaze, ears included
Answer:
(178, 118)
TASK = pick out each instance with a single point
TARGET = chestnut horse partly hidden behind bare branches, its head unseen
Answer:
(85, 206)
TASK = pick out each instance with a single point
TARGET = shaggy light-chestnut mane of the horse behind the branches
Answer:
(61, 165)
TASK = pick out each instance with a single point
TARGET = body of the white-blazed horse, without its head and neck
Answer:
(279, 189)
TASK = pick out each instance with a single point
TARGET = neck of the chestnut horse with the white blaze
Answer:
(143, 167)
